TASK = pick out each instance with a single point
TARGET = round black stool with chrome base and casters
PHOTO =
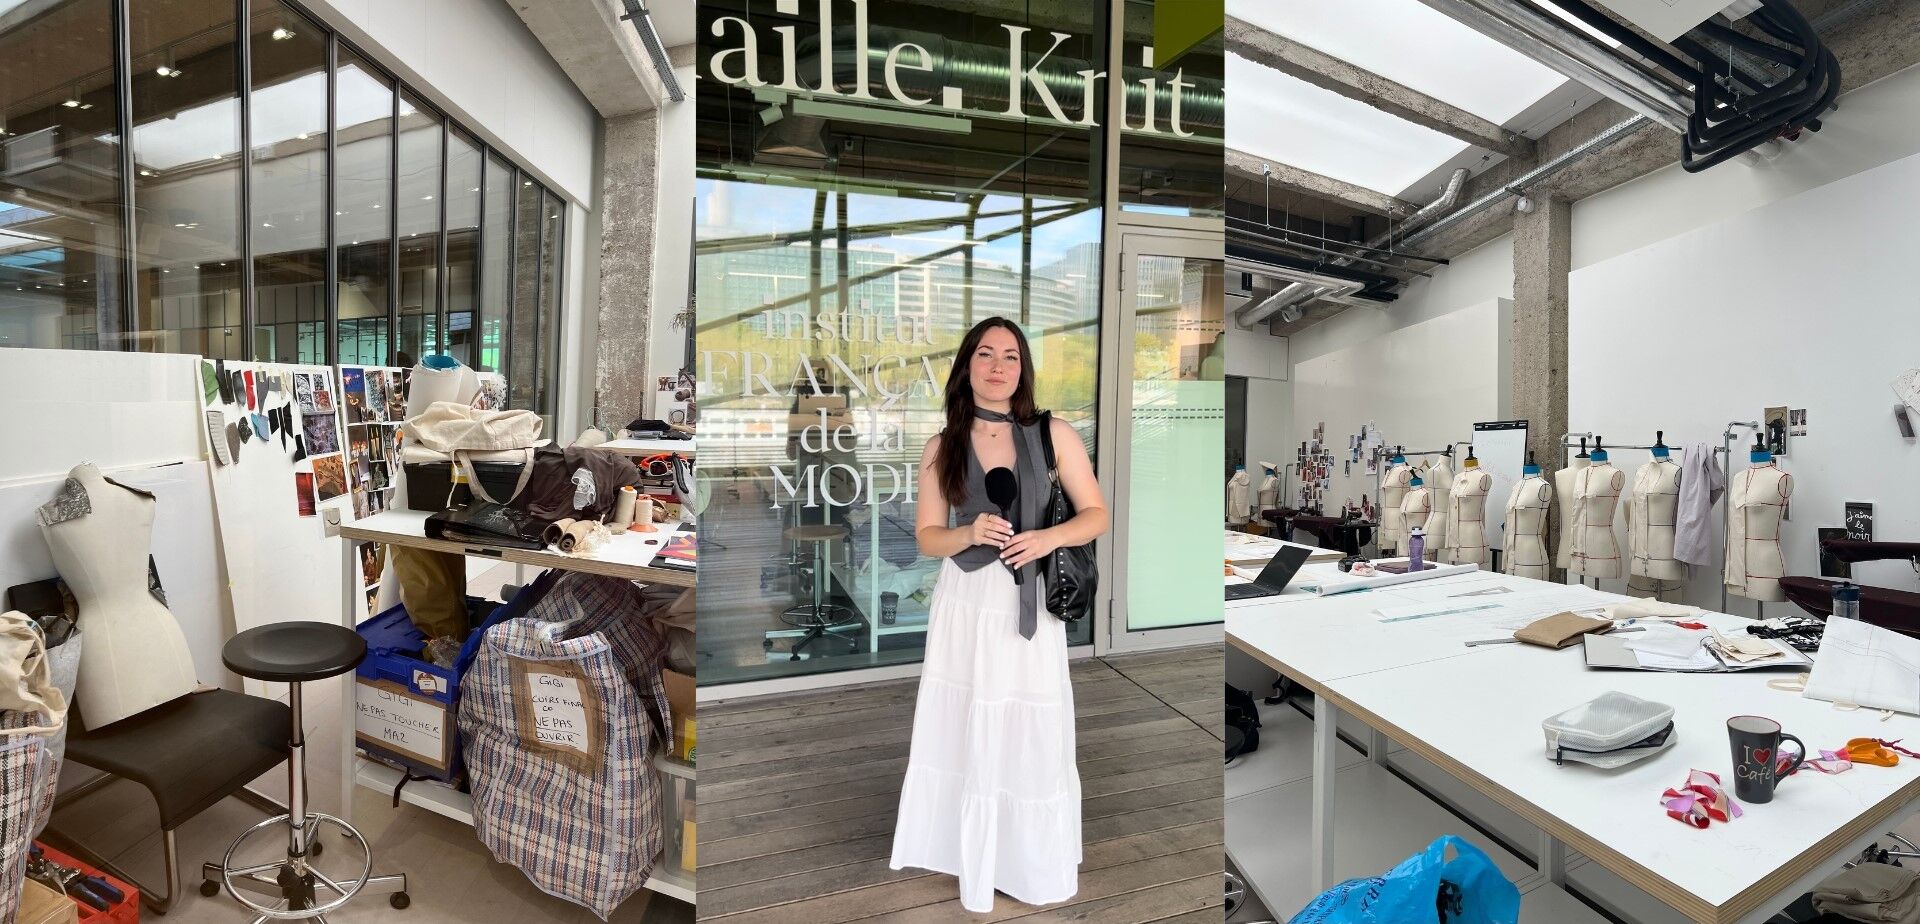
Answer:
(295, 654)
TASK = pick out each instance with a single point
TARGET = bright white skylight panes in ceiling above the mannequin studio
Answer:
(1408, 43)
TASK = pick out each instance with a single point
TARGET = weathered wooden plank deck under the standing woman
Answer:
(800, 794)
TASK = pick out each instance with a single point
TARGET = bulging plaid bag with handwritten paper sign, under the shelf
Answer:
(581, 823)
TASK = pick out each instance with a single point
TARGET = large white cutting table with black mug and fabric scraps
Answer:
(1476, 714)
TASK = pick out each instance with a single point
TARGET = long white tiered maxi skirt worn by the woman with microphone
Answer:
(992, 790)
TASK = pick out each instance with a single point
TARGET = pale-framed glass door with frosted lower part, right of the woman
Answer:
(1172, 414)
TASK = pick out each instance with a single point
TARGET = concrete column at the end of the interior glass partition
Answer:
(629, 197)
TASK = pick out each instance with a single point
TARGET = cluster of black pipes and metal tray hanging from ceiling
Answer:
(1717, 109)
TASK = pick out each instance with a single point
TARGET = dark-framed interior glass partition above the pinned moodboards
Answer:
(327, 214)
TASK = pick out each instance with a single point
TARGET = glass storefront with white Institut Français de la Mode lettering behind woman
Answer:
(848, 241)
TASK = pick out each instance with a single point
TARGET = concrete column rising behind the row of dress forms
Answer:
(1543, 255)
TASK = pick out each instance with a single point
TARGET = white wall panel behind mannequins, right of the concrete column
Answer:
(1802, 303)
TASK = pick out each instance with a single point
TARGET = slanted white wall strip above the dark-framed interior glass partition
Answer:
(481, 62)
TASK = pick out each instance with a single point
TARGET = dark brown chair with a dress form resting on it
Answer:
(187, 754)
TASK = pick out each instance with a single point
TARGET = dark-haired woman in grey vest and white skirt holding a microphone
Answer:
(992, 790)
